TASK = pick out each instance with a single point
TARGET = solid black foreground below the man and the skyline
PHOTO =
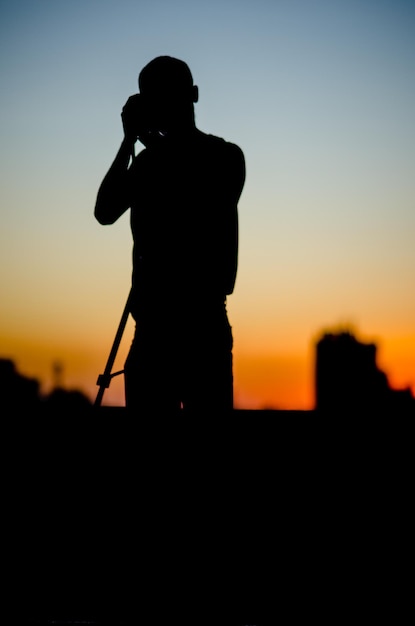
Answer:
(263, 516)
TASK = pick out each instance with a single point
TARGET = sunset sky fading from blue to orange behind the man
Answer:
(320, 96)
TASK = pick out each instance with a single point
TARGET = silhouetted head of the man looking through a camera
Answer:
(166, 84)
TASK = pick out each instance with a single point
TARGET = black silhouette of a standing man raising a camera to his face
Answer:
(183, 189)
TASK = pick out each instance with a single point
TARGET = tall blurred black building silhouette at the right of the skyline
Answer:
(348, 379)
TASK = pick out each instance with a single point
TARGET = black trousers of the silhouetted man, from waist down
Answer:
(181, 361)
